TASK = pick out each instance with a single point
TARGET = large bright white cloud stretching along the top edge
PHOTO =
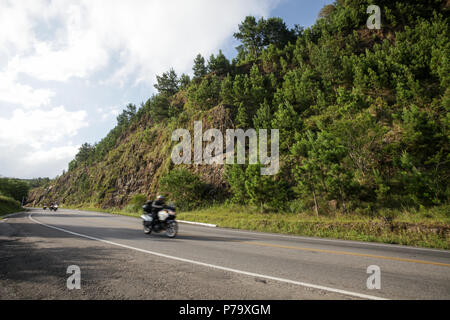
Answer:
(148, 36)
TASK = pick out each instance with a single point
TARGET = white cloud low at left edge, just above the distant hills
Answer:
(37, 143)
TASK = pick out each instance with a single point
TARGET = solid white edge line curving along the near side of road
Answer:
(303, 284)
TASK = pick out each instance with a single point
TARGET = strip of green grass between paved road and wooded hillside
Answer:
(428, 228)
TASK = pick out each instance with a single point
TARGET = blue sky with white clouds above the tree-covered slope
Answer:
(69, 67)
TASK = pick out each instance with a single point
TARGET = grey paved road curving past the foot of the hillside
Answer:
(118, 261)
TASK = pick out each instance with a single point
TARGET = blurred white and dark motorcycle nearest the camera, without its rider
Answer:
(166, 222)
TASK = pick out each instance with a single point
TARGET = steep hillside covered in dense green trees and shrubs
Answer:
(363, 117)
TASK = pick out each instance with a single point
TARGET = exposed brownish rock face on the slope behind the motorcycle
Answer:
(134, 166)
